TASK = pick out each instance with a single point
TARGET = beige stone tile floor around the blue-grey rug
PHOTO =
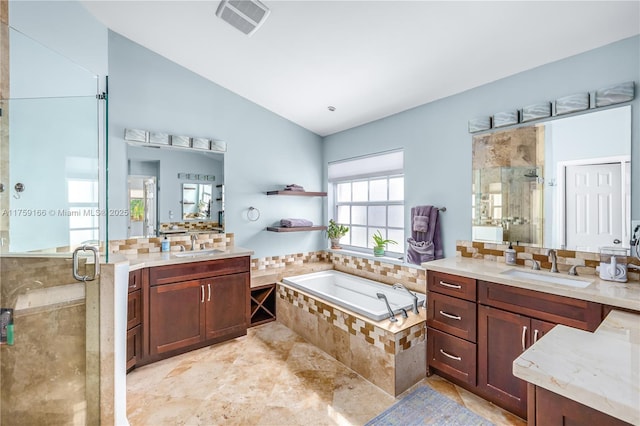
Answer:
(269, 377)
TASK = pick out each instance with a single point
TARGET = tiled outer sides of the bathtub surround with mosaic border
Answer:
(390, 355)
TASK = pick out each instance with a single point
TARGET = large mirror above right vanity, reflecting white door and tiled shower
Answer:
(563, 183)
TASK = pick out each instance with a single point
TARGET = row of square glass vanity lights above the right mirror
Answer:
(610, 95)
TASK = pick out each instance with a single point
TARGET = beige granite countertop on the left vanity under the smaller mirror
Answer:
(174, 257)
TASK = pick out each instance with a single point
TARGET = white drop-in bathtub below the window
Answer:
(355, 293)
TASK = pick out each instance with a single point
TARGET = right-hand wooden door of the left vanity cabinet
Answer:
(227, 306)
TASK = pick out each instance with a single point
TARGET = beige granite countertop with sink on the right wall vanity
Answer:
(622, 295)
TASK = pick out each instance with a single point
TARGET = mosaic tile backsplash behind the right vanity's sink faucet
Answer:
(525, 255)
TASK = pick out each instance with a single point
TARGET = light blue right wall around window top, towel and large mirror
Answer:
(437, 144)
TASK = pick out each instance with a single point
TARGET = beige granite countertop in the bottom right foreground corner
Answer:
(600, 369)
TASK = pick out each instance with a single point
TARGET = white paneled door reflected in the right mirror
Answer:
(594, 206)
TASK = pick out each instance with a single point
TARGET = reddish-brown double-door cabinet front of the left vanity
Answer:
(196, 304)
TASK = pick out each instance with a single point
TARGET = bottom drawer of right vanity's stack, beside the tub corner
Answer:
(451, 355)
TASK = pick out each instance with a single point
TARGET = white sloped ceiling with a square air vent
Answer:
(369, 59)
